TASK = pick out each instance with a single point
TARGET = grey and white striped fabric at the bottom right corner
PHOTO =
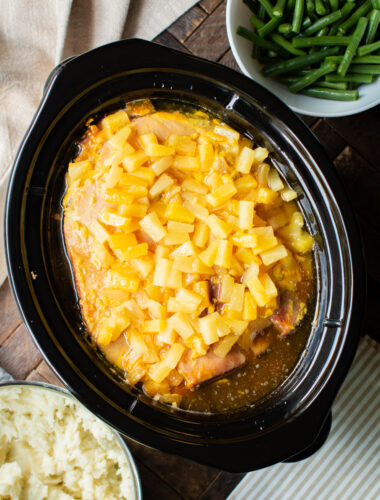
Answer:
(347, 467)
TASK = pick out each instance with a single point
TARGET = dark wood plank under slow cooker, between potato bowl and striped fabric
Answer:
(188, 478)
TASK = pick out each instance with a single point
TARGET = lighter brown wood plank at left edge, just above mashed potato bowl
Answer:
(18, 355)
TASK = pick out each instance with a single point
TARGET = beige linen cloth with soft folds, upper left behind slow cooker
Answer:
(35, 35)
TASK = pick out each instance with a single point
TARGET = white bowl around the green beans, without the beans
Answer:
(238, 14)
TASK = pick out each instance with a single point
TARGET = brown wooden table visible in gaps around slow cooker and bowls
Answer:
(352, 143)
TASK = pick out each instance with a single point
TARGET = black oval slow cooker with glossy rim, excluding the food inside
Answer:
(292, 421)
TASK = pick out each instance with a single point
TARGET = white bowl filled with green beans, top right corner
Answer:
(321, 57)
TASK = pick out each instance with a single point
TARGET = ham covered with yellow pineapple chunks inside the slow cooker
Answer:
(179, 233)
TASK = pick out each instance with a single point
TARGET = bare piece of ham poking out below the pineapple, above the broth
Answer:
(198, 370)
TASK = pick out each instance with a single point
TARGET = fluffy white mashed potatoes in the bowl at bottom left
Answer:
(52, 448)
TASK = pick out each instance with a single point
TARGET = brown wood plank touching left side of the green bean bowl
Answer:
(210, 39)
